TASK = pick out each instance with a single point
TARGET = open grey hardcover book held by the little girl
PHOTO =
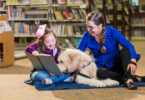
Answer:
(44, 62)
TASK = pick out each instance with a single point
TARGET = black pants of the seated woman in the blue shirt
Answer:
(119, 72)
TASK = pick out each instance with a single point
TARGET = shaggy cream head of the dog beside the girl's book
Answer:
(71, 60)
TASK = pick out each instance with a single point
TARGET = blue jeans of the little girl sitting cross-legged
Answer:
(38, 76)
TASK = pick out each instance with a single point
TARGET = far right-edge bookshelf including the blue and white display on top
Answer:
(138, 20)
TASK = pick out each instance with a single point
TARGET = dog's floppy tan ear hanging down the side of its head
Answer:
(74, 59)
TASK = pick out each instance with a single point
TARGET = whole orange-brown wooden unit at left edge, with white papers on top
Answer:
(6, 43)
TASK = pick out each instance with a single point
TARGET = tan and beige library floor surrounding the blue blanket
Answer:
(12, 85)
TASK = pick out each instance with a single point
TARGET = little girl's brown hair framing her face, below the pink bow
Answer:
(40, 42)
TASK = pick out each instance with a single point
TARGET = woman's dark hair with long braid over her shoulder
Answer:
(98, 18)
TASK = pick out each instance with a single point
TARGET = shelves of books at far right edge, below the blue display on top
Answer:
(138, 26)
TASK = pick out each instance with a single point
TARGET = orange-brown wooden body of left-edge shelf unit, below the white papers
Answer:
(7, 46)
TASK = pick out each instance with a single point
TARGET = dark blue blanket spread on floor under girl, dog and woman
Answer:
(70, 85)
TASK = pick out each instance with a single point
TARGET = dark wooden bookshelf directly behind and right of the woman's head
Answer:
(118, 15)
